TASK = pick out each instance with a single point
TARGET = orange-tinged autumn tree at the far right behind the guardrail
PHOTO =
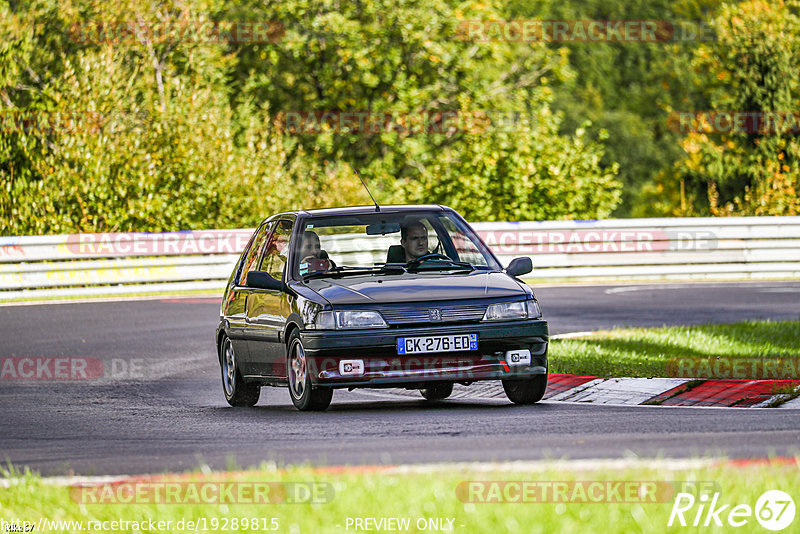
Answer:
(755, 169)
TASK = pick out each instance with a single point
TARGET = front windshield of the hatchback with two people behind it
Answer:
(389, 242)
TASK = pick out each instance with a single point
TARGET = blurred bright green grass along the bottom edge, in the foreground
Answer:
(421, 495)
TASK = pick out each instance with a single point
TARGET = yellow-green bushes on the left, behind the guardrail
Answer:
(153, 143)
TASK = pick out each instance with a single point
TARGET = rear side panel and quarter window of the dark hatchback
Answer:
(235, 307)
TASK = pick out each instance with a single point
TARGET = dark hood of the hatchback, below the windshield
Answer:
(372, 289)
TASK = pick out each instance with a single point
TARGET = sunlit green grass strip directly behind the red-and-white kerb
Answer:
(644, 352)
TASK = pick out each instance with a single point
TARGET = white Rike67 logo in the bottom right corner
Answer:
(774, 510)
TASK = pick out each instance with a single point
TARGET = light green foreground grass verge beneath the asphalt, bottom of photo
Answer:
(449, 499)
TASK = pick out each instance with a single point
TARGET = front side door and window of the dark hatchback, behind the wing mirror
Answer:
(268, 310)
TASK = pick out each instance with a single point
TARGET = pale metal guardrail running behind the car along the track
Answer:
(621, 249)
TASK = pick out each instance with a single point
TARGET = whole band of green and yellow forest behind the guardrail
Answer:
(109, 131)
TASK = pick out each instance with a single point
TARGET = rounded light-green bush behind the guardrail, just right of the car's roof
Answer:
(527, 174)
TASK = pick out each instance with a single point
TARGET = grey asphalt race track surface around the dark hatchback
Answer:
(159, 404)
